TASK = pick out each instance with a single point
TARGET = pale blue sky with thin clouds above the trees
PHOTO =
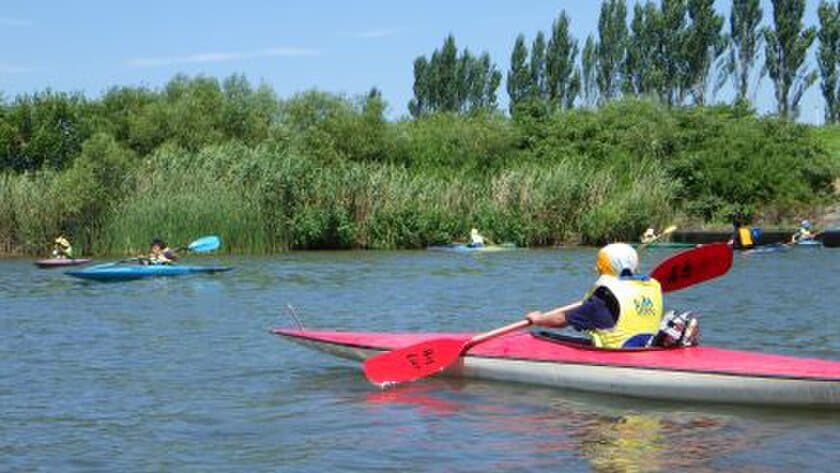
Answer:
(344, 47)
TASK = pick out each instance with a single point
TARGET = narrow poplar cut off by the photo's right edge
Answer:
(828, 58)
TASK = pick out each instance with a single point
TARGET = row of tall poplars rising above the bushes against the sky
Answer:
(681, 52)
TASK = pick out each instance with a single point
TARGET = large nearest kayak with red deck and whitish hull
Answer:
(701, 373)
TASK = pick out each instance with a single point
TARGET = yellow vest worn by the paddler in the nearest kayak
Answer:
(640, 310)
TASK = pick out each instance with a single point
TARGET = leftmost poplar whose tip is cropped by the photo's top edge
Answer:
(611, 48)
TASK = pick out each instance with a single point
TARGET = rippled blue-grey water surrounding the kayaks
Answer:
(182, 374)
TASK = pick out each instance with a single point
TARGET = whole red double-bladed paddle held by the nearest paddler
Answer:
(433, 356)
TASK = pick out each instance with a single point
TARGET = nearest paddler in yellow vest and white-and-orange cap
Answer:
(622, 310)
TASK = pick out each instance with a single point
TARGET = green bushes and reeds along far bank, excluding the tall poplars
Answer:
(321, 171)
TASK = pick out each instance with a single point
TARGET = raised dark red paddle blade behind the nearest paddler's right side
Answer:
(693, 266)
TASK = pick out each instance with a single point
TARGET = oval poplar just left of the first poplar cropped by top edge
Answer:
(562, 74)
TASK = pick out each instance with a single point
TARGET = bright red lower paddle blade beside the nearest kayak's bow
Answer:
(413, 362)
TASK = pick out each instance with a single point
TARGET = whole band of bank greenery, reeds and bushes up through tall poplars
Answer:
(592, 150)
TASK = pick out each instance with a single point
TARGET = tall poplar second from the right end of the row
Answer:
(787, 45)
